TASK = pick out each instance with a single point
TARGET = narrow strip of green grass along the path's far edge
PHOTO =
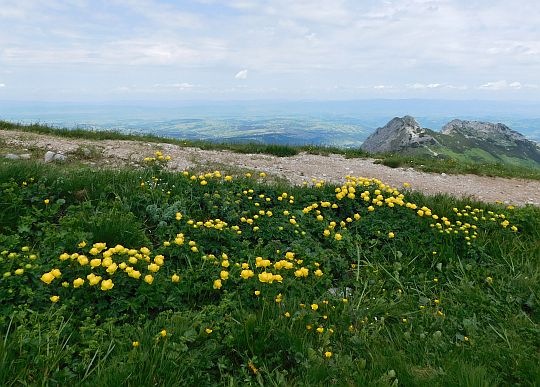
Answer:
(457, 162)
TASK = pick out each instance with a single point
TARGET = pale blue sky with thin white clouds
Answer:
(158, 50)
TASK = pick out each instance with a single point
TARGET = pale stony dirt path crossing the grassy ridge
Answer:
(296, 169)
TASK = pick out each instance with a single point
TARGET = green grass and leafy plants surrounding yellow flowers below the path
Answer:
(389, 329)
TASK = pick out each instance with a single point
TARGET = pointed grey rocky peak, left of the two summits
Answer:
(399, 133)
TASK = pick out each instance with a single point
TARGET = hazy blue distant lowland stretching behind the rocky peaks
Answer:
(212, 119)
